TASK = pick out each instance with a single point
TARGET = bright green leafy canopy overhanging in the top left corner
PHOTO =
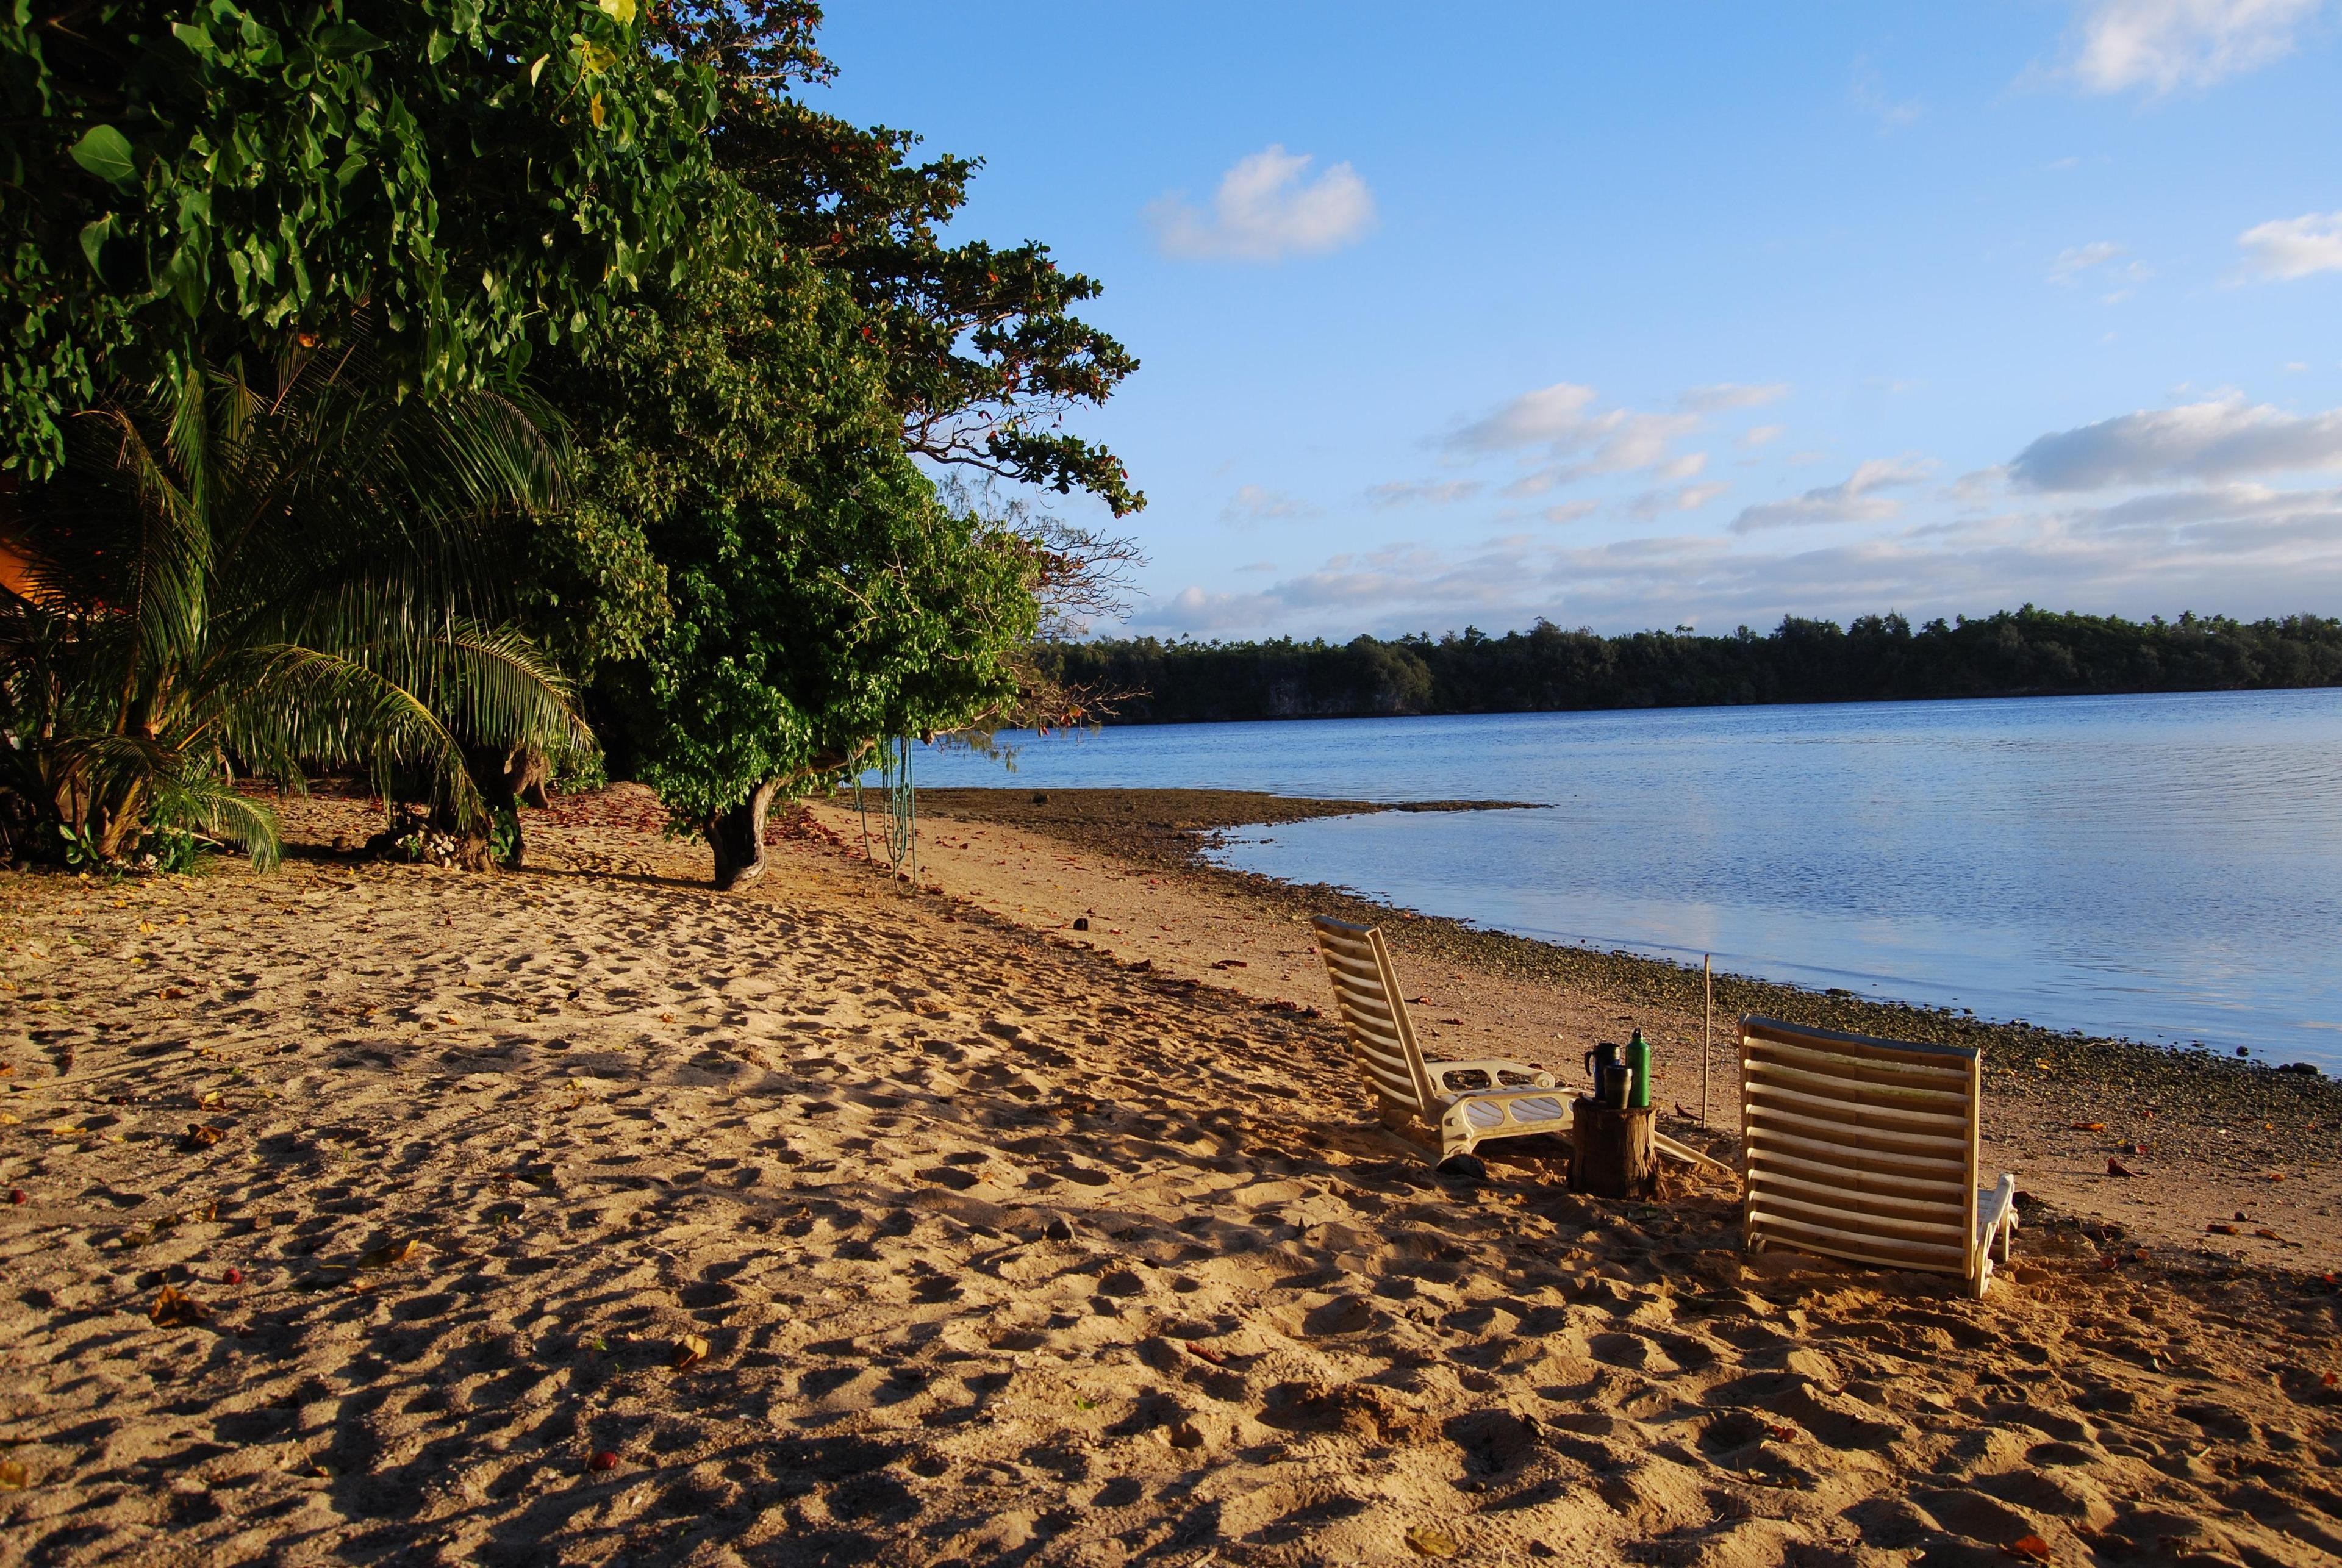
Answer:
(182, 184)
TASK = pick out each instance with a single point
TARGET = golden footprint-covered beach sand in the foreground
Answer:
(856, 1227)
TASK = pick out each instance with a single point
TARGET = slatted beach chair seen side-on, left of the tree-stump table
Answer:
(1411, 1089)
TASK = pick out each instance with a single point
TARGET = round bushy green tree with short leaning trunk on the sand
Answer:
(821, 596)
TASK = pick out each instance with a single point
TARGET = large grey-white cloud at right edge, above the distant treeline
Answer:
(2198, 441)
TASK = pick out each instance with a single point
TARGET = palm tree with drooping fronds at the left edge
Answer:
(256, 579)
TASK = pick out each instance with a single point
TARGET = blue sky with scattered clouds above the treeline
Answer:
(1676, 315)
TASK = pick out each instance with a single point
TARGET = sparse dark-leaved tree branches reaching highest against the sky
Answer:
(982, 352)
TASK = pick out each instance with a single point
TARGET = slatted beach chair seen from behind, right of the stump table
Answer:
(1868, 1150)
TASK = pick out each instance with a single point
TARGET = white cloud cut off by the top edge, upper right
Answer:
(2182, 43)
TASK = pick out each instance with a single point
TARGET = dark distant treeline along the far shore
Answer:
(2015, 654)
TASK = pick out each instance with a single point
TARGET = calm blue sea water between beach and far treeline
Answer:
(2153, 867)
